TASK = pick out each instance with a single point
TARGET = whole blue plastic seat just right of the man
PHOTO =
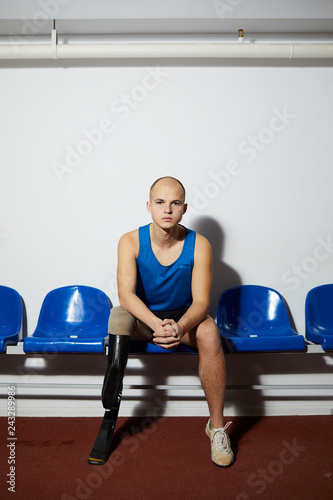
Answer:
(255, 318)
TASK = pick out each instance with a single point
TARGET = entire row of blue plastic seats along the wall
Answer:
(74, 319)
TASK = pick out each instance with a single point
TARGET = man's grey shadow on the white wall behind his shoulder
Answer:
(224, 276)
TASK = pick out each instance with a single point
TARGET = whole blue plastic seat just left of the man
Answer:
(72, 319)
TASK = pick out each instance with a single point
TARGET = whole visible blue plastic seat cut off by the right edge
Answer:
(319, 316)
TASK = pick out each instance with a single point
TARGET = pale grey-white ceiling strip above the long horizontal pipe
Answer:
(87, 17)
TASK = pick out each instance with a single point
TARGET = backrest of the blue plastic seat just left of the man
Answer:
(74, 310)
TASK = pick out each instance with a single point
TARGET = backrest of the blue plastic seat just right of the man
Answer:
(250, 309)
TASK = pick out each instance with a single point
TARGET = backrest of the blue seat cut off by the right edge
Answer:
(319, 307)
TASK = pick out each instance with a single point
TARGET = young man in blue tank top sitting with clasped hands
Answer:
(164, 282)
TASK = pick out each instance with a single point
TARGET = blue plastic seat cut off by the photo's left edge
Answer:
(10, 316)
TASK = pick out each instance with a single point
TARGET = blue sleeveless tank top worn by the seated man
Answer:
(164, 288)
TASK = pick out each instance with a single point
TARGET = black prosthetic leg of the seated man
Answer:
(111, 397)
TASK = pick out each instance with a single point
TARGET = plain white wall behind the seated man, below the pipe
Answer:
(266, 206)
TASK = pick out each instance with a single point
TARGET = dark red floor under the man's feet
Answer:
(277, 458)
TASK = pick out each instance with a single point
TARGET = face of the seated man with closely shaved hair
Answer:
(167, 204)
